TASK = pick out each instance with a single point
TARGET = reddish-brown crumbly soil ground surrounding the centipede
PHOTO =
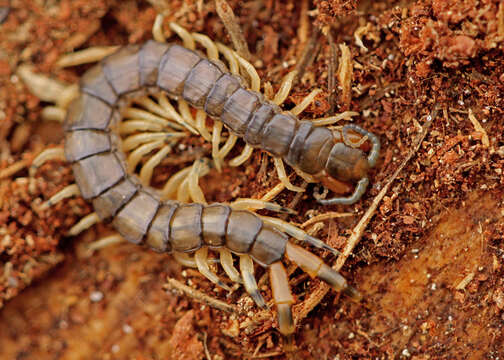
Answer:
(430, 263)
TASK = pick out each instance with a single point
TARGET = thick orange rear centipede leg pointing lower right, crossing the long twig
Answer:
(315, 267)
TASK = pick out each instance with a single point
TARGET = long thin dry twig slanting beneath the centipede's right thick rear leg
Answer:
(303, 309)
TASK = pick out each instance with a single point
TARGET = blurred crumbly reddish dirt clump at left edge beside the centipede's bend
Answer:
(31, 236)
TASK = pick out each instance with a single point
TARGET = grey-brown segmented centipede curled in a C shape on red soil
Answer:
(143, 215)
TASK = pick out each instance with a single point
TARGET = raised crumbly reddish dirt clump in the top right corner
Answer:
(453, 32)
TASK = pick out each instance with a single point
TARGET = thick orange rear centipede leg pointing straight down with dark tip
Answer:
(283, 300)
